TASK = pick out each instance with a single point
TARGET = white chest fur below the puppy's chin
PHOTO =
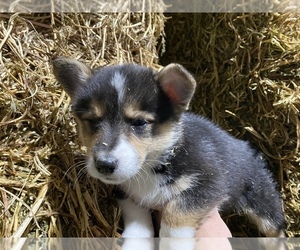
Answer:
(153, 188)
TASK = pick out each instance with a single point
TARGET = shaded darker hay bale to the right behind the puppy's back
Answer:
(247, 66)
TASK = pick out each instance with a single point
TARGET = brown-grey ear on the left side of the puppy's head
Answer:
(70, 73)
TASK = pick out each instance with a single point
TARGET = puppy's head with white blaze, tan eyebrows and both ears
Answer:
(127, 114)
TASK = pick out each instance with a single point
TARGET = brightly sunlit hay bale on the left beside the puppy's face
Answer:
(44, 190)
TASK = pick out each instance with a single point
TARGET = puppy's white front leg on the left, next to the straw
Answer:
(137, 220)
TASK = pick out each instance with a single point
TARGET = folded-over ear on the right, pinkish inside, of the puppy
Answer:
(178, 84)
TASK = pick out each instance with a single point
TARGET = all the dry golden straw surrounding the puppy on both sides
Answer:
(247, 67)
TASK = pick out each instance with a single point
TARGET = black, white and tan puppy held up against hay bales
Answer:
(158, 156)
